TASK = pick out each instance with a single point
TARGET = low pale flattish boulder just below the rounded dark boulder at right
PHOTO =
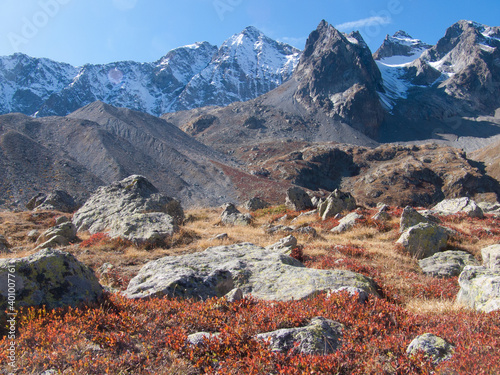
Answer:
(447, 263)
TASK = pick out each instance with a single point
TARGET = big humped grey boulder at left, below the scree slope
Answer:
(126, 208)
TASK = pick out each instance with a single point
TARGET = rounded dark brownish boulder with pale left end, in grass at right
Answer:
(424, 240)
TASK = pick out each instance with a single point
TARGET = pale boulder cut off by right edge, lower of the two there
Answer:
(479, 288)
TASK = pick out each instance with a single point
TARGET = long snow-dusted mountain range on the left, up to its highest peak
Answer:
(247, 65)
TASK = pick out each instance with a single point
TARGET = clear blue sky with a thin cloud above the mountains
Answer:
(102, 31)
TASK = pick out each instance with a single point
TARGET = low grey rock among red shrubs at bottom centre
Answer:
(320, 337)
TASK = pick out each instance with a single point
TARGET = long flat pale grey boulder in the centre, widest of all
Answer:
(266, 274)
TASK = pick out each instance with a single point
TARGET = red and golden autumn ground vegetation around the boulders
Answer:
(120, 336)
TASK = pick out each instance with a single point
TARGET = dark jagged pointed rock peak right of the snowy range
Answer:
(337, 75)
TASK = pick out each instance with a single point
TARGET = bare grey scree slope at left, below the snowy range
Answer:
(100, 144)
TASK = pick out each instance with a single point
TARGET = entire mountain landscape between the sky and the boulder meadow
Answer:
(411, 123)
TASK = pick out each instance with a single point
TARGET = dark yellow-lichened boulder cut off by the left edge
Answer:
(49, 277)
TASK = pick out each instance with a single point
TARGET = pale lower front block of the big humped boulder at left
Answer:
(145, 228)
